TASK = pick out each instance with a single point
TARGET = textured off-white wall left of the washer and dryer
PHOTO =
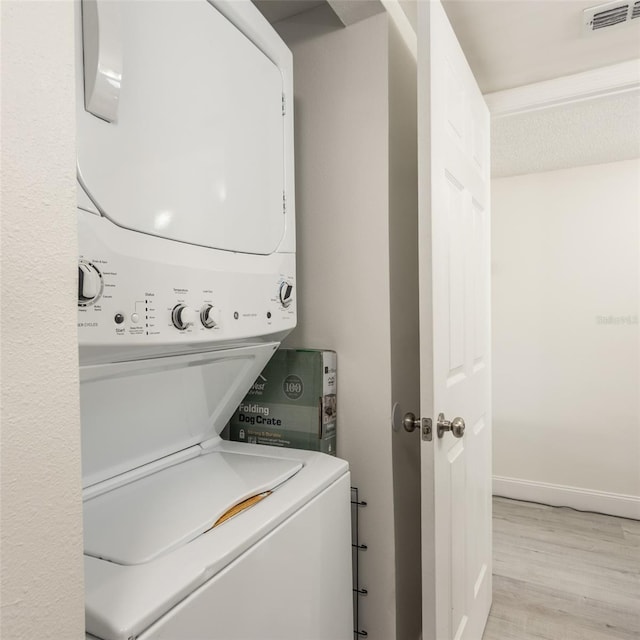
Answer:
(42, 571)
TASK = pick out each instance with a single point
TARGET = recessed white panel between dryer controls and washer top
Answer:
(139, 412)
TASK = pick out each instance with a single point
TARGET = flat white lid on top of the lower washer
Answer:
(150, 517)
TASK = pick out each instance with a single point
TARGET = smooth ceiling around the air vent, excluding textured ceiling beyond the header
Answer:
(510, 43)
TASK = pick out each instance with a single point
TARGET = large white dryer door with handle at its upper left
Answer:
(180, 126)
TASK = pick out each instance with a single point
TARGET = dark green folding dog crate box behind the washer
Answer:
(292, 403)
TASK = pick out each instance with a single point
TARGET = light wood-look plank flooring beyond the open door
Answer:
(561, 574)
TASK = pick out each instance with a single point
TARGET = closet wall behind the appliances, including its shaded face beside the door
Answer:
(353, 102)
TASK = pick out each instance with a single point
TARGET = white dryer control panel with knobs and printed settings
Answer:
(148, 295)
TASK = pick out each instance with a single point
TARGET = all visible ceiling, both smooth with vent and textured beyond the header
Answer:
(511, 43)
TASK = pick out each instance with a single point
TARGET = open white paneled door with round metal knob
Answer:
(453, 152)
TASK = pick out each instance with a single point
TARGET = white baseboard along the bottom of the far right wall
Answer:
(614, 504)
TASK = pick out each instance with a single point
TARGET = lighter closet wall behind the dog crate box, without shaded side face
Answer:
(341, 112)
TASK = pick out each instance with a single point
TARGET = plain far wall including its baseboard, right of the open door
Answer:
(566, 383)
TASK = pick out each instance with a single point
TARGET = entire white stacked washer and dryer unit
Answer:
(186, 288)
